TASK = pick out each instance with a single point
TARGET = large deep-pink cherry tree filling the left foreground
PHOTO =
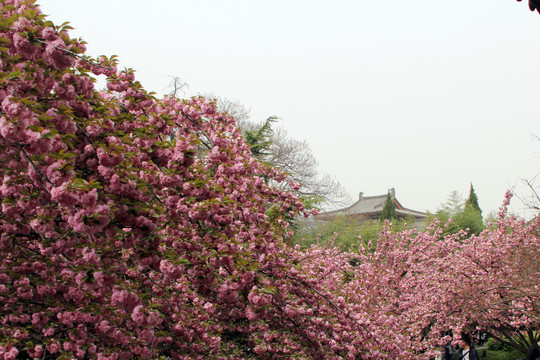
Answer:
(137, 227)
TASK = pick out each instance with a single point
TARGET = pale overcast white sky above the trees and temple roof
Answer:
(424, 96)
